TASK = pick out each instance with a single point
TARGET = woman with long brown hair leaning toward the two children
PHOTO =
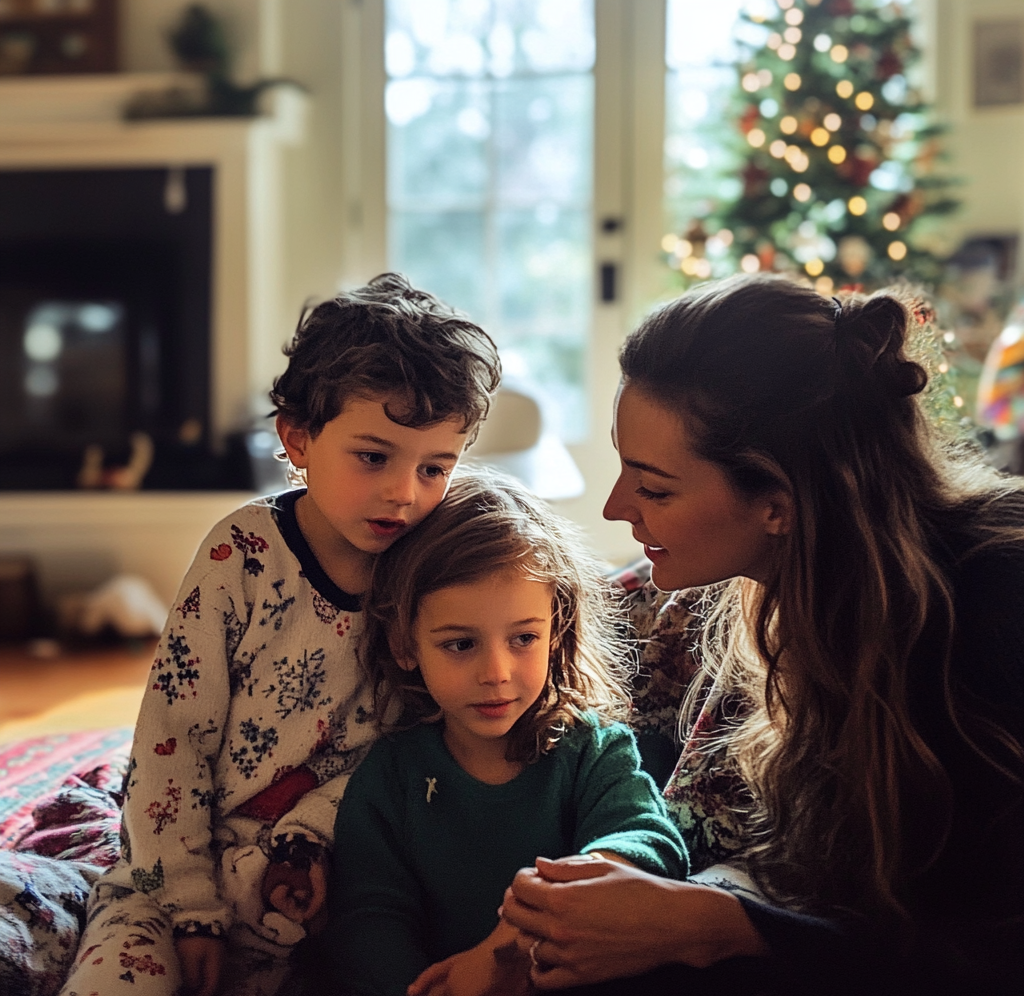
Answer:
(865, 664)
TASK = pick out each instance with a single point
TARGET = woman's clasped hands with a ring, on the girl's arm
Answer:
(585, 922)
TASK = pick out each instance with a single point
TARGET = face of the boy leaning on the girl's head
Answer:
(370, 480)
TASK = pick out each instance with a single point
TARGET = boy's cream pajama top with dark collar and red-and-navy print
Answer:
(254, 718)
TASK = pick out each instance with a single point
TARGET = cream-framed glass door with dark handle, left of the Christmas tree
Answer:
(582, 89)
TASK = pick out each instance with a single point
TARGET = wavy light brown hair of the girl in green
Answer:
(489, 524)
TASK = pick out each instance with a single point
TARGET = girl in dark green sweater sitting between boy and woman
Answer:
(492, 641)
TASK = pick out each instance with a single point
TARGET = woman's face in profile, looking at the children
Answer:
(696, 528)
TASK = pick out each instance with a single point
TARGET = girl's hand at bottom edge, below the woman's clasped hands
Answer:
(495, 967)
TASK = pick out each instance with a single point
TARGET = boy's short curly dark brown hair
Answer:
(388, 339)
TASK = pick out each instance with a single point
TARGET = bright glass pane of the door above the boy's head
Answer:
(490, 109)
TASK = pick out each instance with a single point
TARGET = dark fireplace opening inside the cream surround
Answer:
(105, 331)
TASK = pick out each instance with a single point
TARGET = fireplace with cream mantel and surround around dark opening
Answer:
(141, 283)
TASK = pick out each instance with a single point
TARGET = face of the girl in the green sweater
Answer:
(483, 649)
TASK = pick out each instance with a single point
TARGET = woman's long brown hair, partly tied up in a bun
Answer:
(790, 393)
